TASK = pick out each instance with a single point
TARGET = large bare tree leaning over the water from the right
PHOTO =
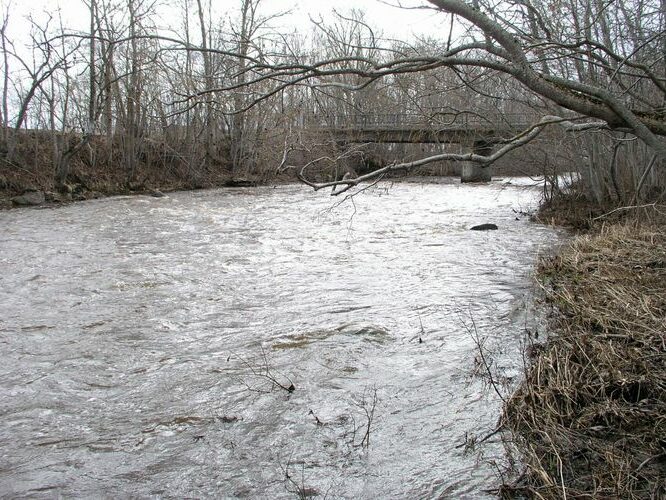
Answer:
(563, 62)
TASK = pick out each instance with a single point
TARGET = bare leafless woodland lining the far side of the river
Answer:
(220, 95)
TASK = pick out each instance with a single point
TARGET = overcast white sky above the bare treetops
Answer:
(394, 22)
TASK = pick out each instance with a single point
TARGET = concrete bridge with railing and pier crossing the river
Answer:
(477, 133)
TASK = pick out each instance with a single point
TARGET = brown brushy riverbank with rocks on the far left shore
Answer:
(102, 169)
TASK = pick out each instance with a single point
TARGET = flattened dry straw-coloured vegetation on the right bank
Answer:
(589, 421)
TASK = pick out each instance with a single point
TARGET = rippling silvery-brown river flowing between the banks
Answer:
(143, 341)
